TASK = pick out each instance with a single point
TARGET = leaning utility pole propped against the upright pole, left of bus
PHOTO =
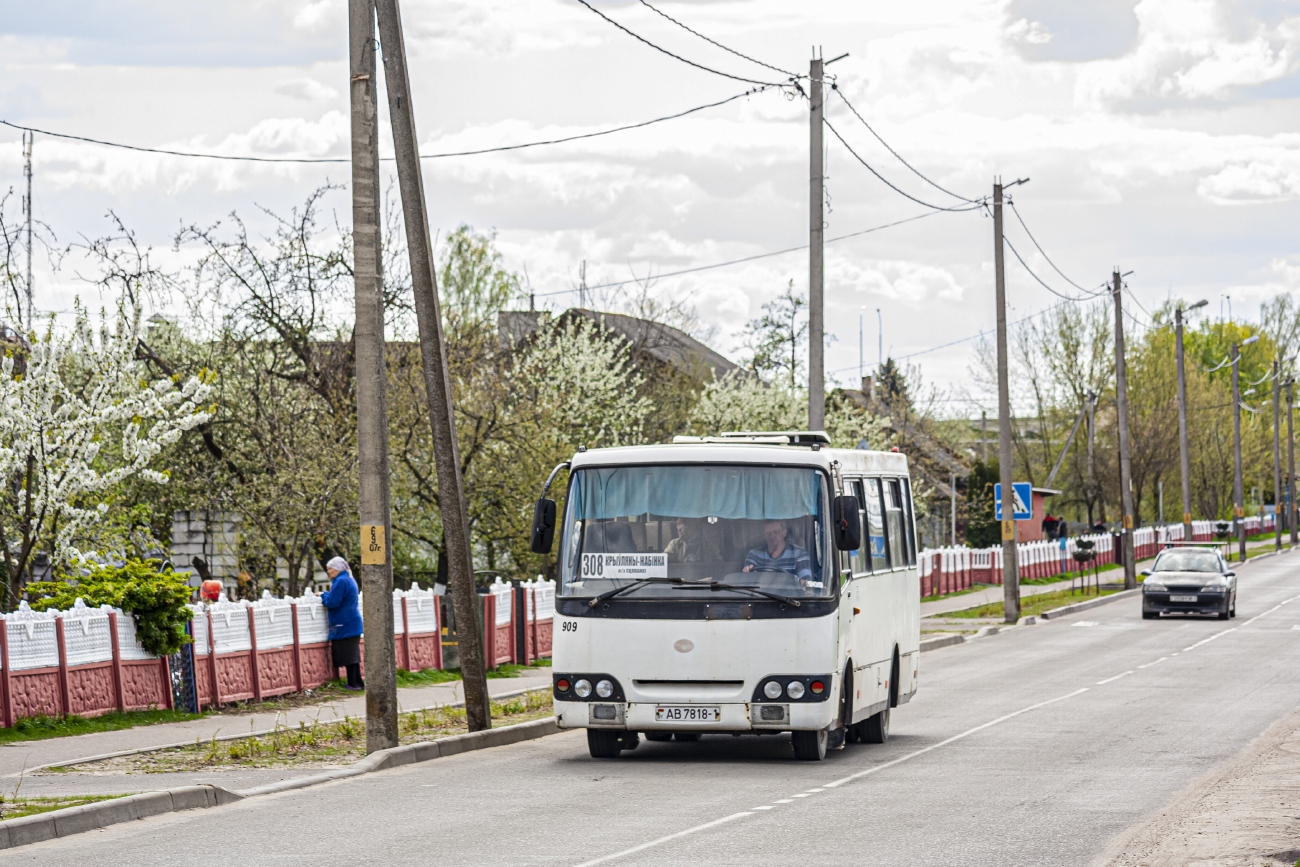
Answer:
(437, 382)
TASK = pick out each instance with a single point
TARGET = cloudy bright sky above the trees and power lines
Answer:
(1160, 136)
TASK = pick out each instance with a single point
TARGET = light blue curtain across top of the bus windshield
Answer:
(755, 493)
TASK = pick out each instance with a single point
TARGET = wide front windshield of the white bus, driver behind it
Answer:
(695, 531)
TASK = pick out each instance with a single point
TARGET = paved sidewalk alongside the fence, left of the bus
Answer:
(20, 758)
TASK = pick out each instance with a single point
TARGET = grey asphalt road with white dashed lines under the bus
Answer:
(1035, 747)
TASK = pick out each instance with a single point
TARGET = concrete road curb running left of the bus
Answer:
(73, 821)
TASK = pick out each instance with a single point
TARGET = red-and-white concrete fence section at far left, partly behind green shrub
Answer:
(84, 661)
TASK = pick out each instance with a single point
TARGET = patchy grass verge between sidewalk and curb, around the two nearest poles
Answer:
(319, 745)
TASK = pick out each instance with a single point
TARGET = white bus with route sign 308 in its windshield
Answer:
(734, 586)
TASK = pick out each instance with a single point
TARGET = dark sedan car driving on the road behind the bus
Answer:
(1189, 580)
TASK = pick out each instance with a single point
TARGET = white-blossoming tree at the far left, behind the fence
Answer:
(79, 415)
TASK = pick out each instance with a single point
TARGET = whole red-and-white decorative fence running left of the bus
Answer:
(89, 662)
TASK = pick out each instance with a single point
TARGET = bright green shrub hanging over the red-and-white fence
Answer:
(159, 601)
